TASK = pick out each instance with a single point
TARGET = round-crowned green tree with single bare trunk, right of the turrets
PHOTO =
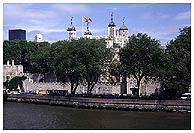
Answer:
(141, 57)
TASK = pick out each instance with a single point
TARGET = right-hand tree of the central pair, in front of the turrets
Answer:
(96, 58)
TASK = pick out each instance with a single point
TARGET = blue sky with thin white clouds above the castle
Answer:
(159, 20)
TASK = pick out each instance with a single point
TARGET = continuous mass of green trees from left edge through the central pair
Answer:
(75, 61)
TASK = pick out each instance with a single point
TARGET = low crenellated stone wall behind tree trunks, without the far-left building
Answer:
(32, 84)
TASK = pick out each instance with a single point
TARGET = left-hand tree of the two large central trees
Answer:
(67, 63)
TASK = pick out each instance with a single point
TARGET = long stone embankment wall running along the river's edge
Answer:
(106, 103)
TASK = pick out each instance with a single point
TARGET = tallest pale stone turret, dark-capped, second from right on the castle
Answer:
(112, 28)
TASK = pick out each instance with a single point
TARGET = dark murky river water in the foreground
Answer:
(31, 116)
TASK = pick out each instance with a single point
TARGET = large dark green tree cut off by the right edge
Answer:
(178, 69)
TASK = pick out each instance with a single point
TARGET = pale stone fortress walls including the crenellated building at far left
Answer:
(33, 84)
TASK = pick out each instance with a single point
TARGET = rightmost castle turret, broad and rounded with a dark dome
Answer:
(123, 33)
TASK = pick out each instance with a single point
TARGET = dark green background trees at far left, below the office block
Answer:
(35, 57)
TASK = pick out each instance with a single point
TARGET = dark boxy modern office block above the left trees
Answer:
(17, 34)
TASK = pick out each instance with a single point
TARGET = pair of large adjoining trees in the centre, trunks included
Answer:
(81, 61)
